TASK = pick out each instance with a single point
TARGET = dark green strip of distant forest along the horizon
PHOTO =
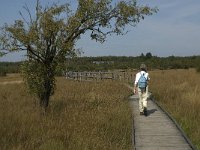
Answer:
(105, 63)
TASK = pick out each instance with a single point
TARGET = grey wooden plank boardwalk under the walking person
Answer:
(156, 131)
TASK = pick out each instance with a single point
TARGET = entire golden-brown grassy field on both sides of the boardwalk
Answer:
(93, 115)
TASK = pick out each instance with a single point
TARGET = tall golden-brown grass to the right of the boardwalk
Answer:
(178, 91)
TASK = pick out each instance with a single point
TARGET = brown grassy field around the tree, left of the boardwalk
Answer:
(82, 115)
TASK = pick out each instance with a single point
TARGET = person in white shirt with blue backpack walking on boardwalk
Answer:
(141, 87)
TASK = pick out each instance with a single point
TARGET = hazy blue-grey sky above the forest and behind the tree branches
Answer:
(174, 30)
